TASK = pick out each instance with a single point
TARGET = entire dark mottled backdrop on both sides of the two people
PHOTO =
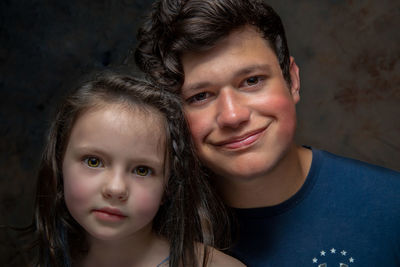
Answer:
(348, 53)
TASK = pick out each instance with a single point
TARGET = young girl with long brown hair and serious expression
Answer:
(119, 184)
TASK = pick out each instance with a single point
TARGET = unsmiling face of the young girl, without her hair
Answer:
(113, 171)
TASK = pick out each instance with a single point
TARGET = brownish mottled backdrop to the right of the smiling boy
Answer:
(348, 53)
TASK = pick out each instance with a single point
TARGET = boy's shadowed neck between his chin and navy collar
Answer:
(271, 189)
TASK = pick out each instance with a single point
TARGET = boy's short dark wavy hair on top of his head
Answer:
(178, 26)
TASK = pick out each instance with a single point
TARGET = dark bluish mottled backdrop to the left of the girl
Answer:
(44, 45)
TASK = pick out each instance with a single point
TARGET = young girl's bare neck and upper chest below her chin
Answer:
(148, 250)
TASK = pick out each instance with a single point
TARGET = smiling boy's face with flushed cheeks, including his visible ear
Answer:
(240, 110)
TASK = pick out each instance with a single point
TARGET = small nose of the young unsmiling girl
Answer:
(115, 188)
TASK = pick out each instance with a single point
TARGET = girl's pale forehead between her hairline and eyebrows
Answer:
(120, 123)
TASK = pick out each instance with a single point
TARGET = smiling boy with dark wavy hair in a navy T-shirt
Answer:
(296, 206)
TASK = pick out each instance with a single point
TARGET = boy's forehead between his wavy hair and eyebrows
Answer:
(243, 51)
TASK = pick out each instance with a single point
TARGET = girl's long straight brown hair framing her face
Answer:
(191, 211)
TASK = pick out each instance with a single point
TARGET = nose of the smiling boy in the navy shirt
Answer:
(232, 111)
